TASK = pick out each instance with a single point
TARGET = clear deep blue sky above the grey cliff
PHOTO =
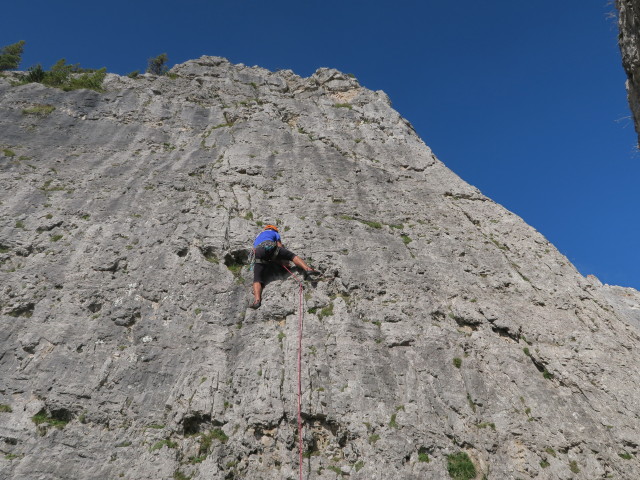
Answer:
(524, 100)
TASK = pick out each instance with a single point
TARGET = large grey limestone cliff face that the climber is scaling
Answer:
(443, 323)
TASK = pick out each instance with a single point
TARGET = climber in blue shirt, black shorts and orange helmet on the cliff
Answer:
(268, 248)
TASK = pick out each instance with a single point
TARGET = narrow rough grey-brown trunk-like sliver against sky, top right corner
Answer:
(629, 41)
